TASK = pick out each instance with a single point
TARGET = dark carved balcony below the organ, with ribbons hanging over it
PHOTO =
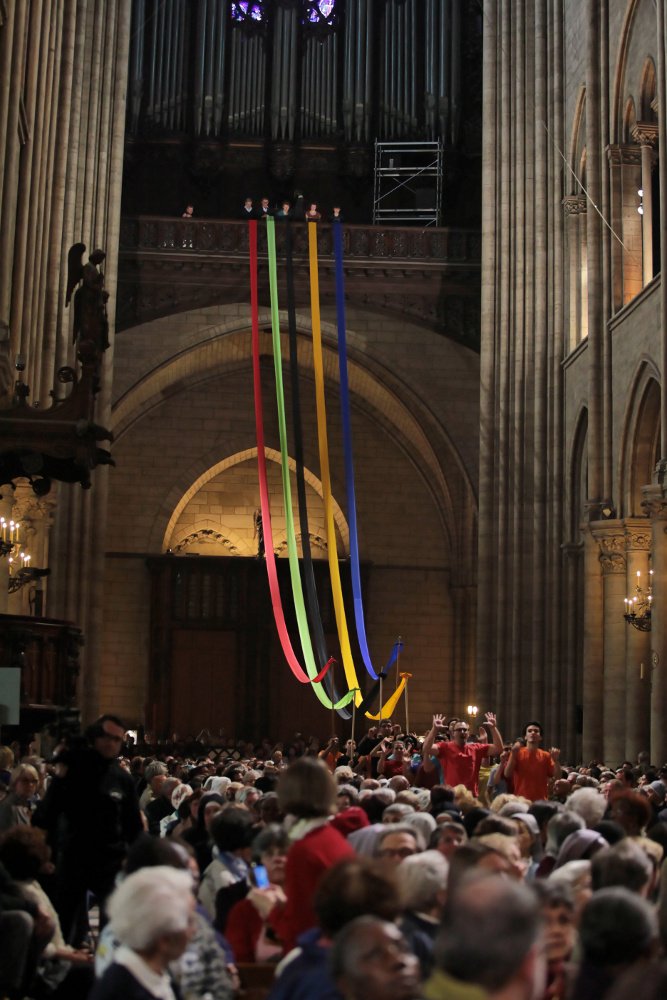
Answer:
(430, 276)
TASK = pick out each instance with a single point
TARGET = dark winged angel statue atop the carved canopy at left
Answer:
(90, 299)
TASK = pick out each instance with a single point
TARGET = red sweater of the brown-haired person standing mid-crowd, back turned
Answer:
(307, 861)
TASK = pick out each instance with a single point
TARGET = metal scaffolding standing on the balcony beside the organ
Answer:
(408, 183)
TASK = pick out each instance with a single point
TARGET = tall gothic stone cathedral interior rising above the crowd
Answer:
(501, 171)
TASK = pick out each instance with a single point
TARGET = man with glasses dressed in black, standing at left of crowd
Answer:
(91, 815)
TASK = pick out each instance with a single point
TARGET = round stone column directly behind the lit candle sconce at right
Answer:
(637, 643)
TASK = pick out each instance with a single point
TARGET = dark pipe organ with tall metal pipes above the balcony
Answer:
(293, 70)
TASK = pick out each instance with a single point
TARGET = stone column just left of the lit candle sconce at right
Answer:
(611, 540)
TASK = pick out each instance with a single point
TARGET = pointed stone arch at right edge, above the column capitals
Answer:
(640, 447)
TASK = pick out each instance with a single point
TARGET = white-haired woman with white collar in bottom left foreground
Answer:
(151, 914)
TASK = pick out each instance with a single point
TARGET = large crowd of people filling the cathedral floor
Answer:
(445, 866)
